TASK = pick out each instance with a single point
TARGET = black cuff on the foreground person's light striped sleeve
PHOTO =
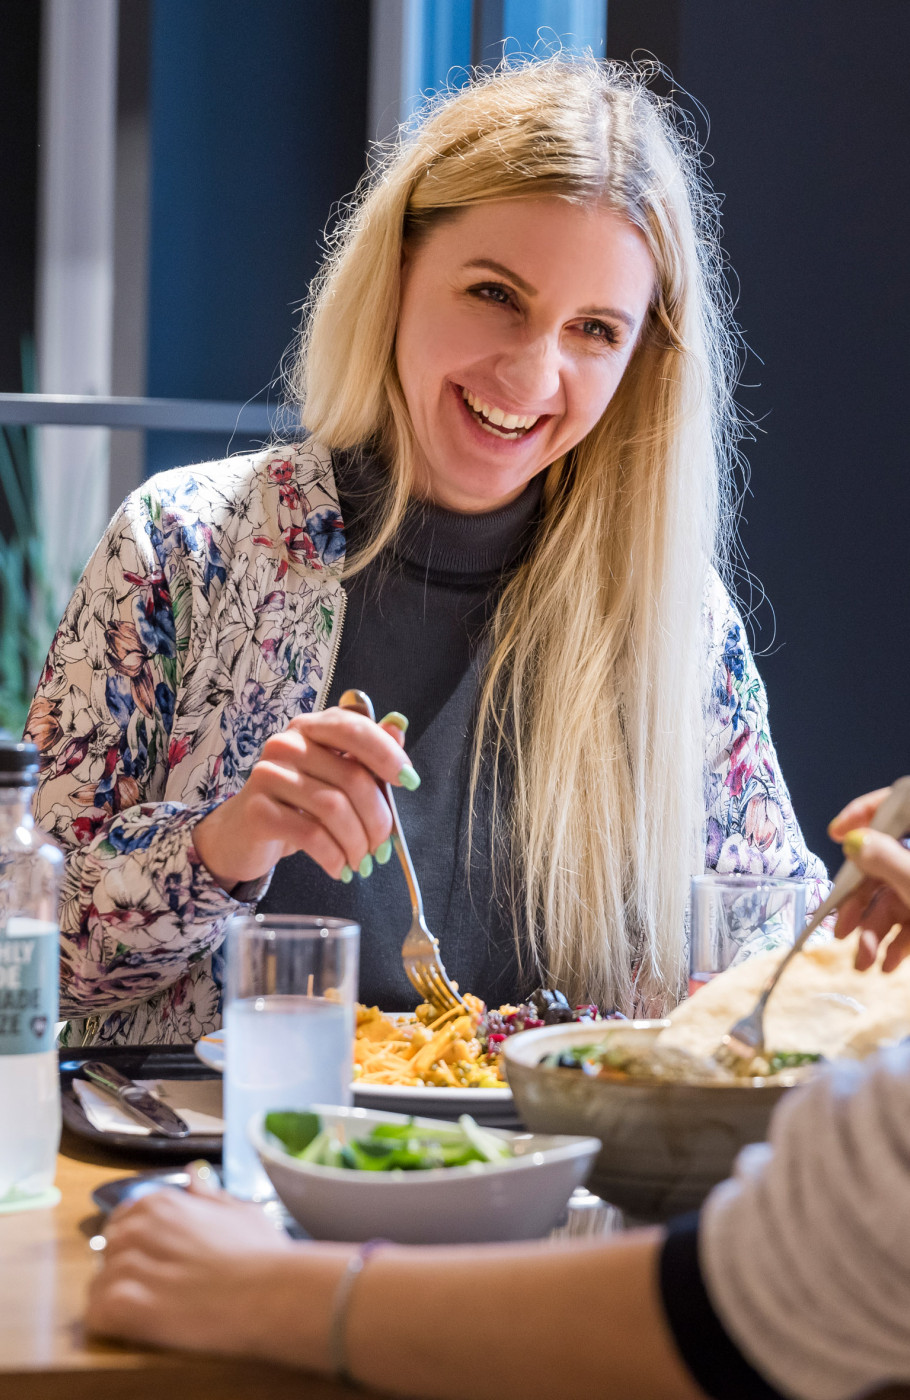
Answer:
(706, 1347)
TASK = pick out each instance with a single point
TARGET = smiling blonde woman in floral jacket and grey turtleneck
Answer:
(510, 520)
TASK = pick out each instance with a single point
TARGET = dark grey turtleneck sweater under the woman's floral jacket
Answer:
(414, 640)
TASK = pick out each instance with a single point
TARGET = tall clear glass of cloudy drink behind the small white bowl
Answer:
(289, 1027)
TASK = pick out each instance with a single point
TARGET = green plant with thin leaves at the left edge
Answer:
(26, 611)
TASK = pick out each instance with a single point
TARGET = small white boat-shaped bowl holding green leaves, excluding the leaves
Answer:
(521, 1198)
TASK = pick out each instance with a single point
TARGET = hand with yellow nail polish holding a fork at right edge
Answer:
(884, 898)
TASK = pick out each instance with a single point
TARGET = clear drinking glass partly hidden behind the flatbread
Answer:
(731, 911)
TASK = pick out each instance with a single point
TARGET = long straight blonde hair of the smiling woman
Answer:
(594, 695)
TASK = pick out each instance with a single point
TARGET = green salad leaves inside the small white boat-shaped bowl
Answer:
(390, 1147)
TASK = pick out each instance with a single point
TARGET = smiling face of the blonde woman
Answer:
(517, 323)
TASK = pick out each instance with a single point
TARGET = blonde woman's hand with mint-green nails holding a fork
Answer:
(313, 790)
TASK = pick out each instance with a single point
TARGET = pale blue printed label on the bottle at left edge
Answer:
(29, 986)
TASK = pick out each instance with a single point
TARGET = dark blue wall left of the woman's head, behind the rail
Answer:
(258, 128)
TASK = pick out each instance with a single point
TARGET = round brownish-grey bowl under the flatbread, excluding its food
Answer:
(663, 1146)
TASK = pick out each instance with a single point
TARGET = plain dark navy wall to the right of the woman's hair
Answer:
(810, 136)
